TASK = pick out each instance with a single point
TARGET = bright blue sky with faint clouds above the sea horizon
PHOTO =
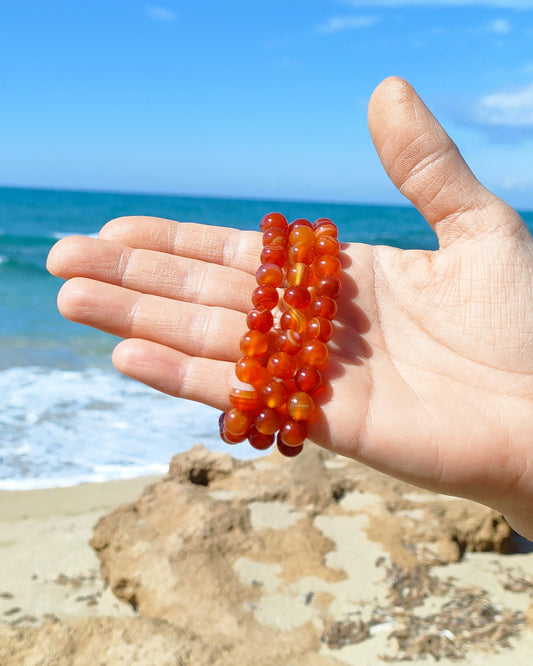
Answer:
(256, 98)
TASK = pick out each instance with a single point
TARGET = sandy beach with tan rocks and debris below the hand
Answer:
(316, 561)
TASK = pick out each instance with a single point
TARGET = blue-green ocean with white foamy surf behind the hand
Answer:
(67, 416)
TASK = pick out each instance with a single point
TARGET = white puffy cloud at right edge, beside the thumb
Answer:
(507, 110)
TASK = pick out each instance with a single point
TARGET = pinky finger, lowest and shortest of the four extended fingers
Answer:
(173, 372)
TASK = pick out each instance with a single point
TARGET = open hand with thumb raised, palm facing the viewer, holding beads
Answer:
(431, 370)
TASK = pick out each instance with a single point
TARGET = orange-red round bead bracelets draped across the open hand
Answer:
(283, 361)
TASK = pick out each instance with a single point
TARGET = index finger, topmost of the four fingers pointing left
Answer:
(219, 245)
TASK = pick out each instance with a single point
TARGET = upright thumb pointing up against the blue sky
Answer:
(426, 166)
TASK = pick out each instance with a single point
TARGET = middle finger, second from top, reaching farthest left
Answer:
(151, 272)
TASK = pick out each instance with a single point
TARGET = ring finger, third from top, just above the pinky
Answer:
(194, 329)
